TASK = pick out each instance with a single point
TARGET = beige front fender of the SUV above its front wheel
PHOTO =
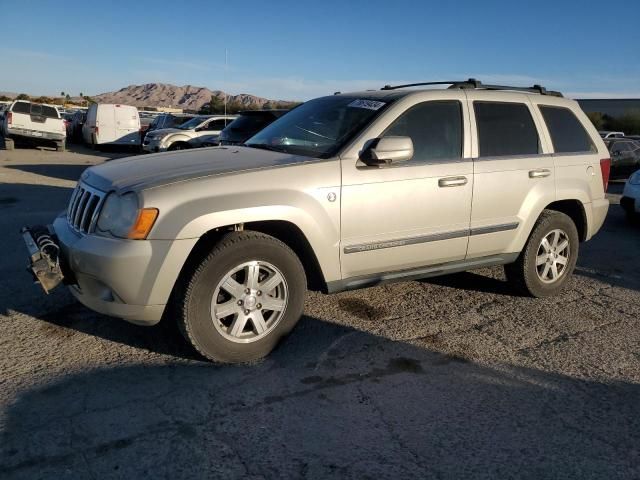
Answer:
(298, 195)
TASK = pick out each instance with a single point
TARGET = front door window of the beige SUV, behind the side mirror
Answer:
(435, 129)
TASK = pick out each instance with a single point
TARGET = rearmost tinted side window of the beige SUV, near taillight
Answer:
(567, 133)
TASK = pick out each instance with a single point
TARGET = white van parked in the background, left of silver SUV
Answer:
(112, 124)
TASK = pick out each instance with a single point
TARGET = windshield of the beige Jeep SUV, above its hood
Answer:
(320, 127)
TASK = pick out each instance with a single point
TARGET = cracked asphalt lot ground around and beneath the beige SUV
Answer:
(454, 377)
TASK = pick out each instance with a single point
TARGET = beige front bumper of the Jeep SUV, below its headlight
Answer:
(129, 279)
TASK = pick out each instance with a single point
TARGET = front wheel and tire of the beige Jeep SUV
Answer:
(238, 338)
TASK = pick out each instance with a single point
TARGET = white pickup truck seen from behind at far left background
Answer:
(29, 122)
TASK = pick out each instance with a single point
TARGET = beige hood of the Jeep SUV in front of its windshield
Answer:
(147, 171)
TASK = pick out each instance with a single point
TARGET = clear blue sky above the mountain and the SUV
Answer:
(298, 49)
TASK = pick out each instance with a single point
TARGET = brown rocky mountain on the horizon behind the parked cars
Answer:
(187, 97)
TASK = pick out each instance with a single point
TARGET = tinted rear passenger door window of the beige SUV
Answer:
(505, 129)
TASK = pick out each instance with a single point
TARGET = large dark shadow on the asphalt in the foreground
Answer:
(321, 407)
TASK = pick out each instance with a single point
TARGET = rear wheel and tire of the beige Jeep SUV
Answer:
(529, 278)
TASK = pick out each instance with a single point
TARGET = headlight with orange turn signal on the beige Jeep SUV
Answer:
(121, 217)
